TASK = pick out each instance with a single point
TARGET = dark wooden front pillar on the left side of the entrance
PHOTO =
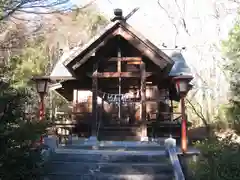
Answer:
(94, 101)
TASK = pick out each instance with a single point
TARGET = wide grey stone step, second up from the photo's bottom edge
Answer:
(109, 167)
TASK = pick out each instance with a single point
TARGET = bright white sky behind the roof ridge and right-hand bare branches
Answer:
(156, 23)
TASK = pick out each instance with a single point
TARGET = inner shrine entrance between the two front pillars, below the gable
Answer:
(121, 89)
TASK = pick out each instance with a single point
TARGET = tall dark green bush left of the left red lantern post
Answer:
(19, 159)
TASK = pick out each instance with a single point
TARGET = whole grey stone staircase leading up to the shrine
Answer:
(110, 161)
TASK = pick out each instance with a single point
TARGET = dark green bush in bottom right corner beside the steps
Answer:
(219, 160)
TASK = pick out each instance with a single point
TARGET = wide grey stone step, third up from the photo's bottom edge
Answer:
(71, 155)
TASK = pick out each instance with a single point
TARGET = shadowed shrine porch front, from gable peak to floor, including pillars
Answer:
(119, 78)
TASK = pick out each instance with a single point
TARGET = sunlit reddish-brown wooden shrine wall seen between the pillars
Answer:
(82, 104)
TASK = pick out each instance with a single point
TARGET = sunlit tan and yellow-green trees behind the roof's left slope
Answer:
(36, 52)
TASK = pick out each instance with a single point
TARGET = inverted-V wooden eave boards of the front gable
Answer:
(81, 55)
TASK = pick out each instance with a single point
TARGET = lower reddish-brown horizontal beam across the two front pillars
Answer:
(118, 74)
